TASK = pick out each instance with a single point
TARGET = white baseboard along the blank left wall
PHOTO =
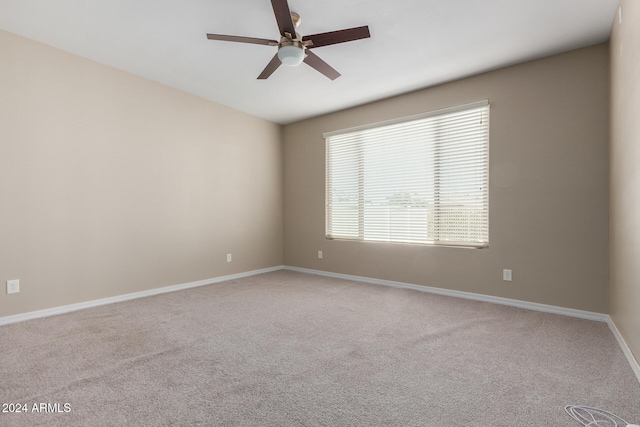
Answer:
(94, 303)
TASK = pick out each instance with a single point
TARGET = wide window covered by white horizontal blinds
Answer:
(421, 179)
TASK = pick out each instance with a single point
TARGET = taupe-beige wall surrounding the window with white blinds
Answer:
(548, 187)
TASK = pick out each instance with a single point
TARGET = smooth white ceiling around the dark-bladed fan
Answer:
(414, 43)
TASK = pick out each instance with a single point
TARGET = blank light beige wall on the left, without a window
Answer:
(111, 184)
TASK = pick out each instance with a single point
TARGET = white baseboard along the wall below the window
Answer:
(589, 315)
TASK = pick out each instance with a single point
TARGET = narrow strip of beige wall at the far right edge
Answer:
(625, 175)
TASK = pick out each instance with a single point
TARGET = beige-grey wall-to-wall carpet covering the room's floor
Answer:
(291, 349)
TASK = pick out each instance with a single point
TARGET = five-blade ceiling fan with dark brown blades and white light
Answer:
(293, 49)
